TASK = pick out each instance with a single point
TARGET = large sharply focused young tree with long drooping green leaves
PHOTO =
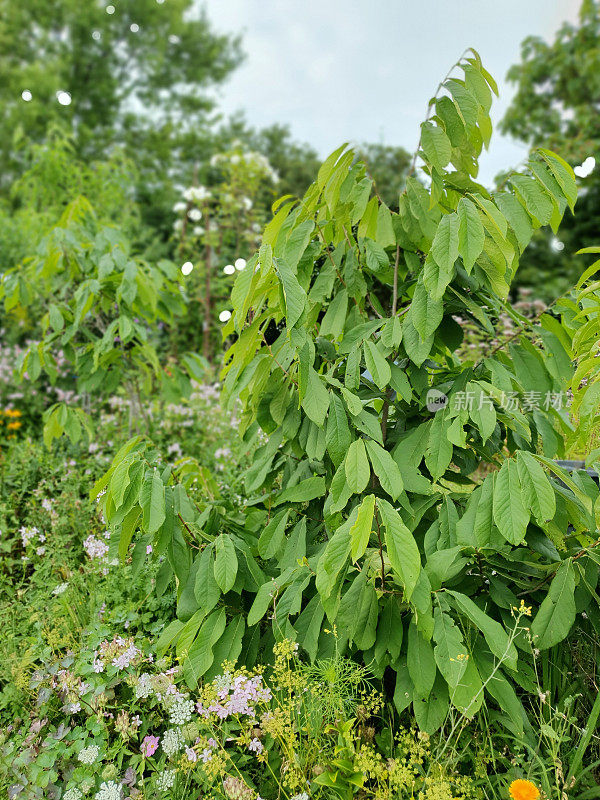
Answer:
(363, 512)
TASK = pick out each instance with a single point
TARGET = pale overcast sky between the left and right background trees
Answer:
(363, 70)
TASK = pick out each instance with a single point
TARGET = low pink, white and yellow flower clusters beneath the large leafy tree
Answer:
(113, 723)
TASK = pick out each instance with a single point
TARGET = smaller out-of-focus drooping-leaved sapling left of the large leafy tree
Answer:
(100, 305)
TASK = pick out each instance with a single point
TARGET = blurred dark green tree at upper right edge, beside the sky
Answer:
(557, 105)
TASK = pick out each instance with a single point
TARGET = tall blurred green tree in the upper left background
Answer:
(133, 73)
